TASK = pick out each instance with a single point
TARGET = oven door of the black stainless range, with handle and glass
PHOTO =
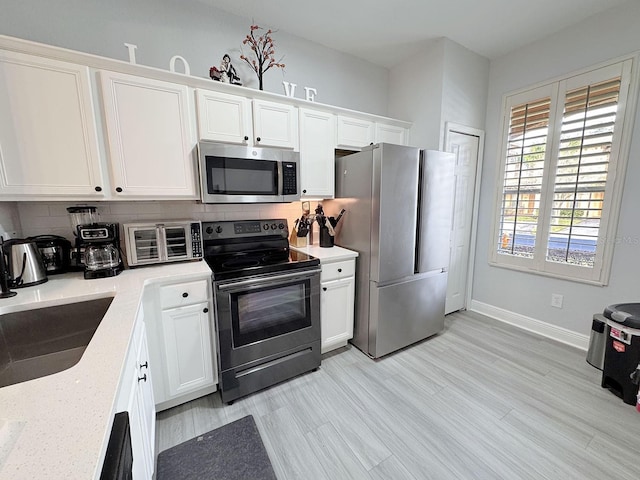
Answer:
(266, 315)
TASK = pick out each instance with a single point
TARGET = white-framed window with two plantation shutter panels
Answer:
(563, 145)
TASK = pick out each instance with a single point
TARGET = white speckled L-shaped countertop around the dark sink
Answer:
(58, 426)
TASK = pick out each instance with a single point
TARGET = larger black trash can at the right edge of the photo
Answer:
(622, 352)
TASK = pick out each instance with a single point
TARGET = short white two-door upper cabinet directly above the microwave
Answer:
(236, 119)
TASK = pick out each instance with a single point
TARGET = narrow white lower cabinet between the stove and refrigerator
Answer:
(337, 294)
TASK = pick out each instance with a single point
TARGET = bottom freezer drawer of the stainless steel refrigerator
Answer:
(405, 313)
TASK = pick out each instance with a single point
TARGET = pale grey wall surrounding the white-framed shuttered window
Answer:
(600, 38)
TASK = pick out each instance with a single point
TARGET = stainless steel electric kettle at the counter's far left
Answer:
(24, 263)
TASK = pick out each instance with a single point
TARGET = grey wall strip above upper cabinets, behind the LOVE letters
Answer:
(200, 34)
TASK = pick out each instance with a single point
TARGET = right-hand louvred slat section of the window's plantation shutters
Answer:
(584, 151)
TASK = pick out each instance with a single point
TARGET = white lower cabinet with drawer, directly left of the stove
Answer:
(182, 346)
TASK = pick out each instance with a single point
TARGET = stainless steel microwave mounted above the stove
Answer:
(240, 174)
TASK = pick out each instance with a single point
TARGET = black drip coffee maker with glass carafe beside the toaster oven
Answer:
(100, 243)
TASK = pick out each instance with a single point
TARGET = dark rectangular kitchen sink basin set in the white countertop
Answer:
(39, 342)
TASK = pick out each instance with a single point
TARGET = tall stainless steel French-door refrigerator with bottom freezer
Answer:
(399, 207)
